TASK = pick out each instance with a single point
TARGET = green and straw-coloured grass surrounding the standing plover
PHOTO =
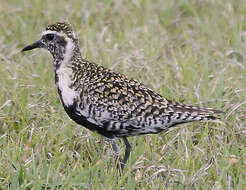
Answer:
(189, 51)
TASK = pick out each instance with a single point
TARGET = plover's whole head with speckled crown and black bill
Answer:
(59, 39)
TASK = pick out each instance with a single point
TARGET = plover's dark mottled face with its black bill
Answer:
(54, 43)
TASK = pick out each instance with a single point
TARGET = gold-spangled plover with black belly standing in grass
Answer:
(107, 102)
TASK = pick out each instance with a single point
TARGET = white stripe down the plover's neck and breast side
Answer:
(64, 73)
